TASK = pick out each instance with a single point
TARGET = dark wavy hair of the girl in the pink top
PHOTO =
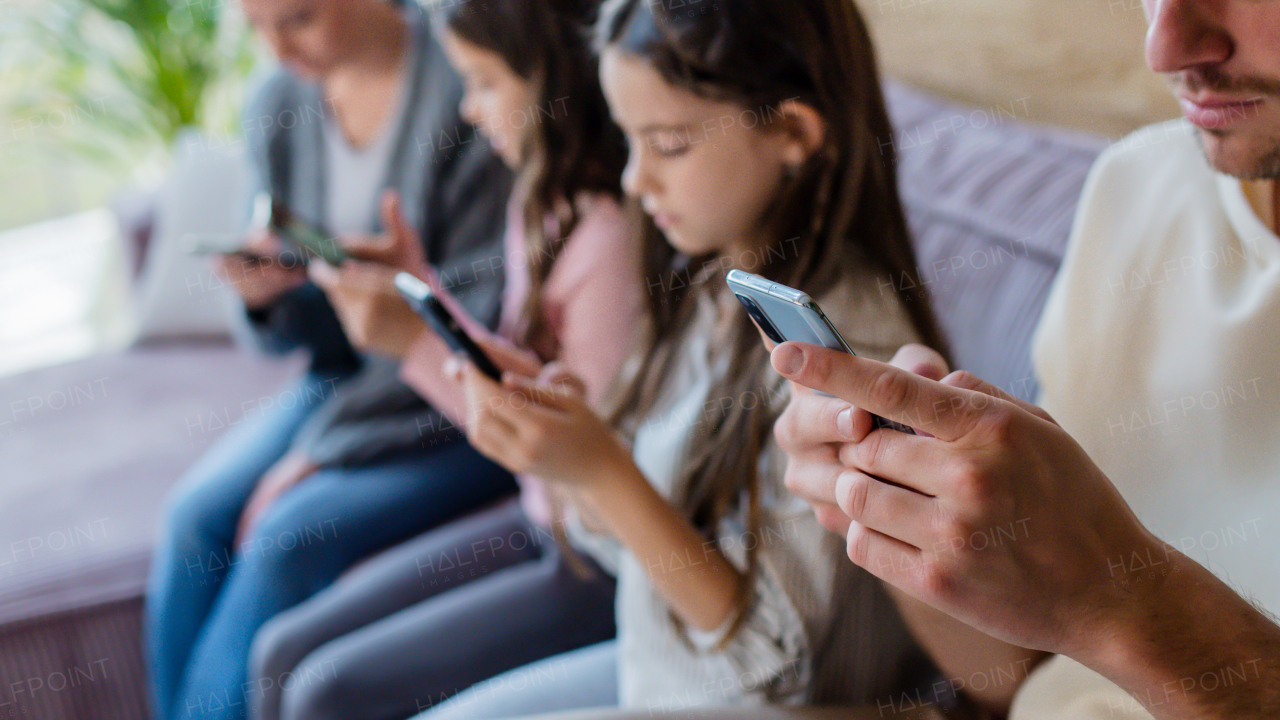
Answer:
(572, 147)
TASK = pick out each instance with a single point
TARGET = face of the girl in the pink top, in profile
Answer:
(495, 99)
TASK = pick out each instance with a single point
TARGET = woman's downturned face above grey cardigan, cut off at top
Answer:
(309, 37)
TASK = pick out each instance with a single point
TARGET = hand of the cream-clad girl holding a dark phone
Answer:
(542, 429)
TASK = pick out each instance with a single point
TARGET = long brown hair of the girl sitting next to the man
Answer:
(840, 211)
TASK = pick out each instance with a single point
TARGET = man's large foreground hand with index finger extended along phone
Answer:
(1000, 520)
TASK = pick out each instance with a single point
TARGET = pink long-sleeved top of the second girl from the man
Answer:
(592, 303)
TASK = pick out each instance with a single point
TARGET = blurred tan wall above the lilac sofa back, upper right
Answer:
(1073, 63)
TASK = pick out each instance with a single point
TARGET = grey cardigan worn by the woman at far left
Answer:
(454, 190)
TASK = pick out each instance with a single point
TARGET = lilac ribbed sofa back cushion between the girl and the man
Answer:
(991, 203)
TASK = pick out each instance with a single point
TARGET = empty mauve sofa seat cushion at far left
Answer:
(90, 450)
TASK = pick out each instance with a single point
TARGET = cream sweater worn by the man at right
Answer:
(1160, 353)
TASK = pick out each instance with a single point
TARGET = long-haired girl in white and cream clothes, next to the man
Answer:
(753, 129)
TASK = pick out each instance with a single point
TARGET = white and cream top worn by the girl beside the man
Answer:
(821, 630)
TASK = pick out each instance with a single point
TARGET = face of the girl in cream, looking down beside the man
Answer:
(706, 171)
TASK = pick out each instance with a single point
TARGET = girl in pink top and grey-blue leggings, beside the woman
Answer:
(491, 593)
